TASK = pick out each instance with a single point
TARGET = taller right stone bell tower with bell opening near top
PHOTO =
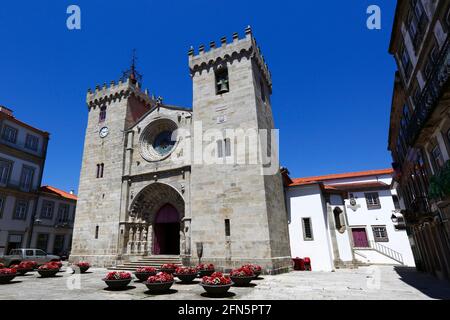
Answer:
(238, 210)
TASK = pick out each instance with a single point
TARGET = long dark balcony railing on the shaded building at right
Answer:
(430, 95)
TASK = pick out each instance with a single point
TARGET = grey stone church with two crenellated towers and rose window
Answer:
(136, 201)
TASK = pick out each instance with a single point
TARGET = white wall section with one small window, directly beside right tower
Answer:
(306, 202)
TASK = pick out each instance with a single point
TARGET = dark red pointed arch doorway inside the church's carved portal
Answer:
(166, 231)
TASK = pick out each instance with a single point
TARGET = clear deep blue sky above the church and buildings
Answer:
(332, 76)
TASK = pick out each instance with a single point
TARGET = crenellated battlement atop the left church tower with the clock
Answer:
(123, 89)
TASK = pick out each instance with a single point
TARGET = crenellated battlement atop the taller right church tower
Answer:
(229, 51)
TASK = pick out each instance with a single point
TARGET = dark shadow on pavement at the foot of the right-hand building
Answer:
(427, 284)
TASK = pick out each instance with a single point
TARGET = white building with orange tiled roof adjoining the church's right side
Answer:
(346, 220)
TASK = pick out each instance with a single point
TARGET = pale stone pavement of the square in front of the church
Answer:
(380, 282)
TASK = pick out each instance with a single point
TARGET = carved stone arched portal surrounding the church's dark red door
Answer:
(158, 210)
